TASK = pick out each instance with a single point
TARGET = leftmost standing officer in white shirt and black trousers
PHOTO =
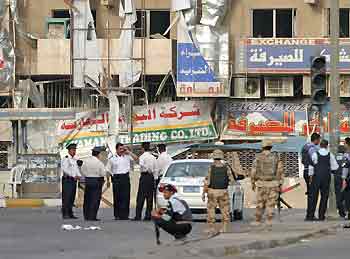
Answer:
(70, 175)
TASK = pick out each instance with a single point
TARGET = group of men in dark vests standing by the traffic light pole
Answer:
(319, 165)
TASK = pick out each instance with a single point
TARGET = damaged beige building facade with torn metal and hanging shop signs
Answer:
(248, 60)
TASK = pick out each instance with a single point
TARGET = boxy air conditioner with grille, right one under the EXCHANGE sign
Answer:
(279, 87)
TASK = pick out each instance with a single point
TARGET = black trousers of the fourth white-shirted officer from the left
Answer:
(145, 192)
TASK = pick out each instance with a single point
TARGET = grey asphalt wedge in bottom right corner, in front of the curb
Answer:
(332, 246)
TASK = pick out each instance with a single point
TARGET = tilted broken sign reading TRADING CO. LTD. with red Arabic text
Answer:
(162, 122)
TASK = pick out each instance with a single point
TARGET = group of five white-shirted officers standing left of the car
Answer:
(93, 172)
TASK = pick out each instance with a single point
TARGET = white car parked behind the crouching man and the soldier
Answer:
(188, 177)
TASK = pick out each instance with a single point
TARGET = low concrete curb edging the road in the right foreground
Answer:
(267, 244)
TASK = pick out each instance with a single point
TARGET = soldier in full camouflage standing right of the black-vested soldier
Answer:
(267, 178)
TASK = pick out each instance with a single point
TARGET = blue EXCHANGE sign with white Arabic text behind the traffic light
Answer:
(273, 55)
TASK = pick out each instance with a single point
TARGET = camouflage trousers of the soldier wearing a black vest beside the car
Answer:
(218, 198)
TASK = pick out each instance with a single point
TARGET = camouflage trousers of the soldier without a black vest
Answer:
(266, 199)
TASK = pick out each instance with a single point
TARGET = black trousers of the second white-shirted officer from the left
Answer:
(92, 197)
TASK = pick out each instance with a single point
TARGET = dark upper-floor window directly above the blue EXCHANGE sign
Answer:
(273, 23)
